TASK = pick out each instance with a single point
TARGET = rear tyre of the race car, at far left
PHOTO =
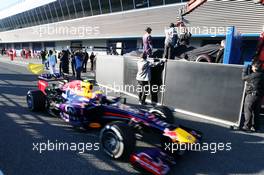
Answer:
(36, 100)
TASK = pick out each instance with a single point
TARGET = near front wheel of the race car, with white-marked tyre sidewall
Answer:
(118, 140)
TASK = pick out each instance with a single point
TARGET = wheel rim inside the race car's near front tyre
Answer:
(110, 142)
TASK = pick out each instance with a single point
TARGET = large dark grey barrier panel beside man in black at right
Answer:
(212, 90)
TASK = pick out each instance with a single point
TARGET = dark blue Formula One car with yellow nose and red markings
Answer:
(77, 104)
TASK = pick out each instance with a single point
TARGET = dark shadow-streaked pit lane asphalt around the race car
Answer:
(19, 129)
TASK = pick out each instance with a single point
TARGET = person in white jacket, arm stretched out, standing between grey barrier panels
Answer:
(143, 77)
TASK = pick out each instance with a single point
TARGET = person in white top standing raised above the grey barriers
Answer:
(170, 41)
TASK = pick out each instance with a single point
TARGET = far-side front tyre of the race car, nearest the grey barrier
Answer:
(163, 113)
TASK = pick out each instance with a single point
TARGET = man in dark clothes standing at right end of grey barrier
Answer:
(254, 77)
